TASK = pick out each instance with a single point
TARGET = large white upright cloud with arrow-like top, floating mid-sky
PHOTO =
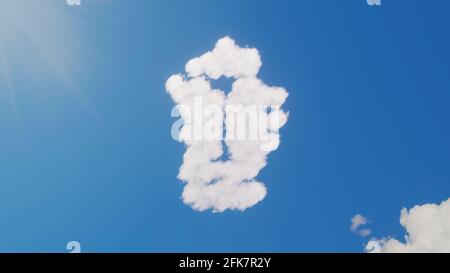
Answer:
(211, 182)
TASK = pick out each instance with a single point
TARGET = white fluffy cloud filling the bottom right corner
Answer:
(427, 230)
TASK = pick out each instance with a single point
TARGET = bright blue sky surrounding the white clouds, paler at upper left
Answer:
(86, 152)
